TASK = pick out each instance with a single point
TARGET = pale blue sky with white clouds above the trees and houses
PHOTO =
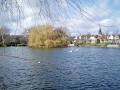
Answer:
(78, 16)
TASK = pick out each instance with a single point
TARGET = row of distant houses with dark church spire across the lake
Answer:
(99, 38)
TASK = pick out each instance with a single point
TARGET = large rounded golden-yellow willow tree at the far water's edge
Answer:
(46, 36)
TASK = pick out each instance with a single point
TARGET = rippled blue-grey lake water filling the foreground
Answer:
(59, 69)
